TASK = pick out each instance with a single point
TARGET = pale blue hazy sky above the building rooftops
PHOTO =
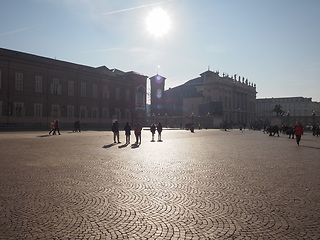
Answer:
(273, 43)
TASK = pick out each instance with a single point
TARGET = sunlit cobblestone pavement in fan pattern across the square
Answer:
(210, 184)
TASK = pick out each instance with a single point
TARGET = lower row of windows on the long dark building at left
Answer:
(19, 110)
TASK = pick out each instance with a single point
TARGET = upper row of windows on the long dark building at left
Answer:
(56, 88)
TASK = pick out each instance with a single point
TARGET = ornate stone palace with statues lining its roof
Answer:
(223, 99)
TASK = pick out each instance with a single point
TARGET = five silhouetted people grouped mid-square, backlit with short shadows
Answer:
(137, 132)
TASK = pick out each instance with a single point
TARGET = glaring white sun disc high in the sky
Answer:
(158, 22)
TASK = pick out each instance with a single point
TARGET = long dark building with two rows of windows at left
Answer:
(35, 90)
